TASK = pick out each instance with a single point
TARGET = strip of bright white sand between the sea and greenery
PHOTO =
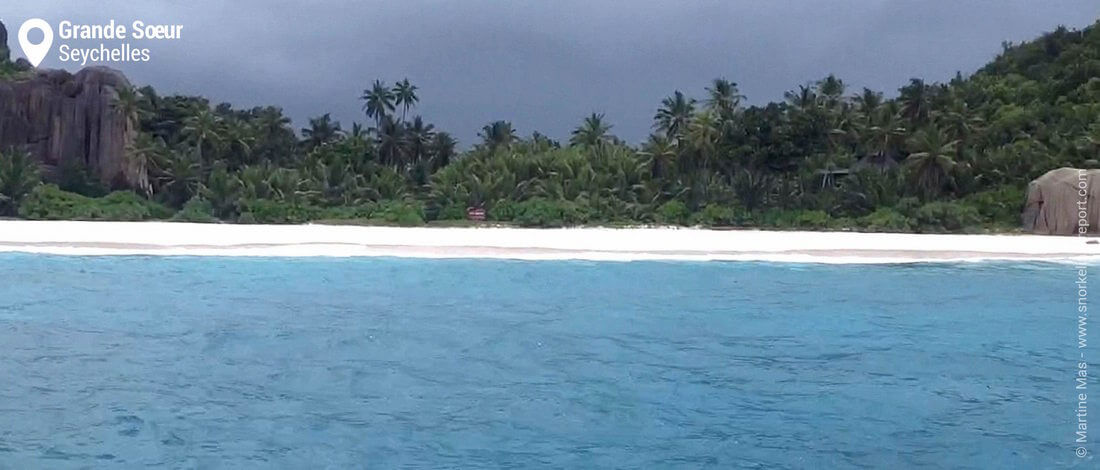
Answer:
(80, 238)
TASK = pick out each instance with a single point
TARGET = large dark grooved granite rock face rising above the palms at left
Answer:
(62, 118)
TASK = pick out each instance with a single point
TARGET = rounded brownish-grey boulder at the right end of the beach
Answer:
(1059, 201)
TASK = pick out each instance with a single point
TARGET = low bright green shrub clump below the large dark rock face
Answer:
(51, 203)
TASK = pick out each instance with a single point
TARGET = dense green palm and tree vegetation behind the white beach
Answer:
(951, 157)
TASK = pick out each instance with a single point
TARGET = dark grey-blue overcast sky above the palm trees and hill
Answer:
(545, 65)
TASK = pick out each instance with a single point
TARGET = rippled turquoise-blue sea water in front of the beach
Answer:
(459, 364)
